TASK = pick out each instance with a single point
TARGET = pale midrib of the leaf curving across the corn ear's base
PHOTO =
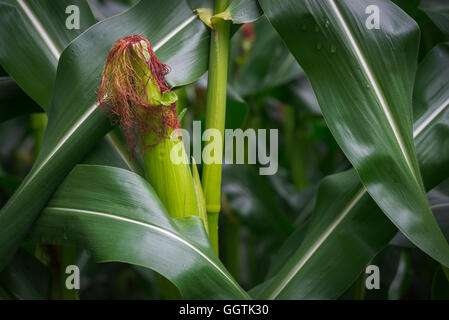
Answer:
(158, 229)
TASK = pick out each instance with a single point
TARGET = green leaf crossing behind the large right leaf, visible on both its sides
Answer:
(347, 228)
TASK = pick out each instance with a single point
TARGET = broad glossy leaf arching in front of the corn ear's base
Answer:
(116, 215)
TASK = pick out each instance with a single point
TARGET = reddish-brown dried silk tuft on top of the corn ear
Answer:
(123, 96)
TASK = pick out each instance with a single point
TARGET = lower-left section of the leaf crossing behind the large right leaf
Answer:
(345, 231)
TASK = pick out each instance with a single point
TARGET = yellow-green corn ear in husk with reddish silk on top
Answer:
(133, 87)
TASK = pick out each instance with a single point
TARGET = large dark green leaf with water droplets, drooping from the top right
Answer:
(363, 81)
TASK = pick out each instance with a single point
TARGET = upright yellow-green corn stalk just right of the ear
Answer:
(215, 115)
